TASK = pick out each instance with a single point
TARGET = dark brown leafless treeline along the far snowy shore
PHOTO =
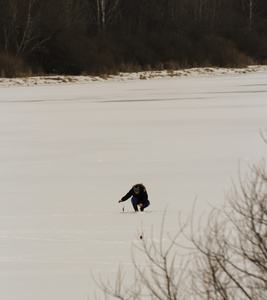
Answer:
(108, 36)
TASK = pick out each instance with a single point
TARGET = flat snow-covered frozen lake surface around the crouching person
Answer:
(69, 152)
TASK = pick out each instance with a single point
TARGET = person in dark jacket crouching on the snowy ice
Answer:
(139, 197)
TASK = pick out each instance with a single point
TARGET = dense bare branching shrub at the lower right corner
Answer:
(232, 251)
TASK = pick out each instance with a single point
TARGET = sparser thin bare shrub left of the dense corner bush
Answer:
(161, 276)
